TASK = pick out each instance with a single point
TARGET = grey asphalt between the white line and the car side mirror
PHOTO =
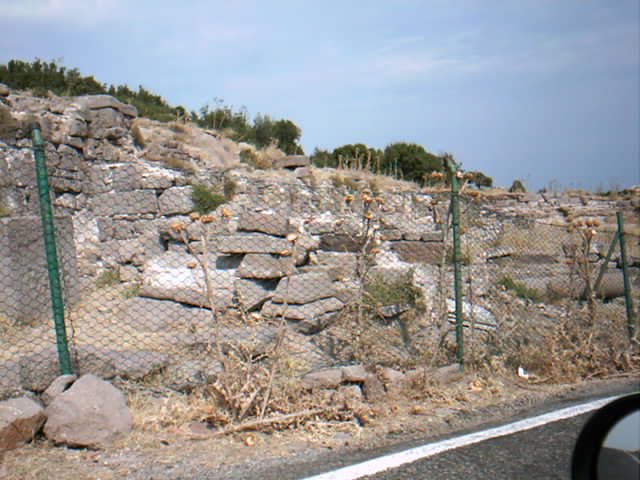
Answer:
(540, 453)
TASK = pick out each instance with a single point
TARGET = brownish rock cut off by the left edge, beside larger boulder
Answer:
(20, 419)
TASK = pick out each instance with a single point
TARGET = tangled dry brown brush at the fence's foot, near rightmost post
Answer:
(570, 349)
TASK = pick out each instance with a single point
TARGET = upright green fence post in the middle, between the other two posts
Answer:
(457, 274)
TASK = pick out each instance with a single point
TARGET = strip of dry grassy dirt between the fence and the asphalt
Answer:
(186, 451)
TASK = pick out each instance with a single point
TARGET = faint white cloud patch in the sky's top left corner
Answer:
(80, 13)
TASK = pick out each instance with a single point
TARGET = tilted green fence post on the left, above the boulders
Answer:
(53, 270)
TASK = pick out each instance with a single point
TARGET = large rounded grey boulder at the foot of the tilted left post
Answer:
(92, 414)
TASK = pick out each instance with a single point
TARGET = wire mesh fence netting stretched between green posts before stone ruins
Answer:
(288, 278)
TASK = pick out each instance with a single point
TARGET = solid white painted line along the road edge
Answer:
(380, 464)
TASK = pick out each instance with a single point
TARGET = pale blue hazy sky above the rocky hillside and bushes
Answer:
(546, 91)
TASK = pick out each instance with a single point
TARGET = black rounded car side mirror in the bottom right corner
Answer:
(608, 447)
